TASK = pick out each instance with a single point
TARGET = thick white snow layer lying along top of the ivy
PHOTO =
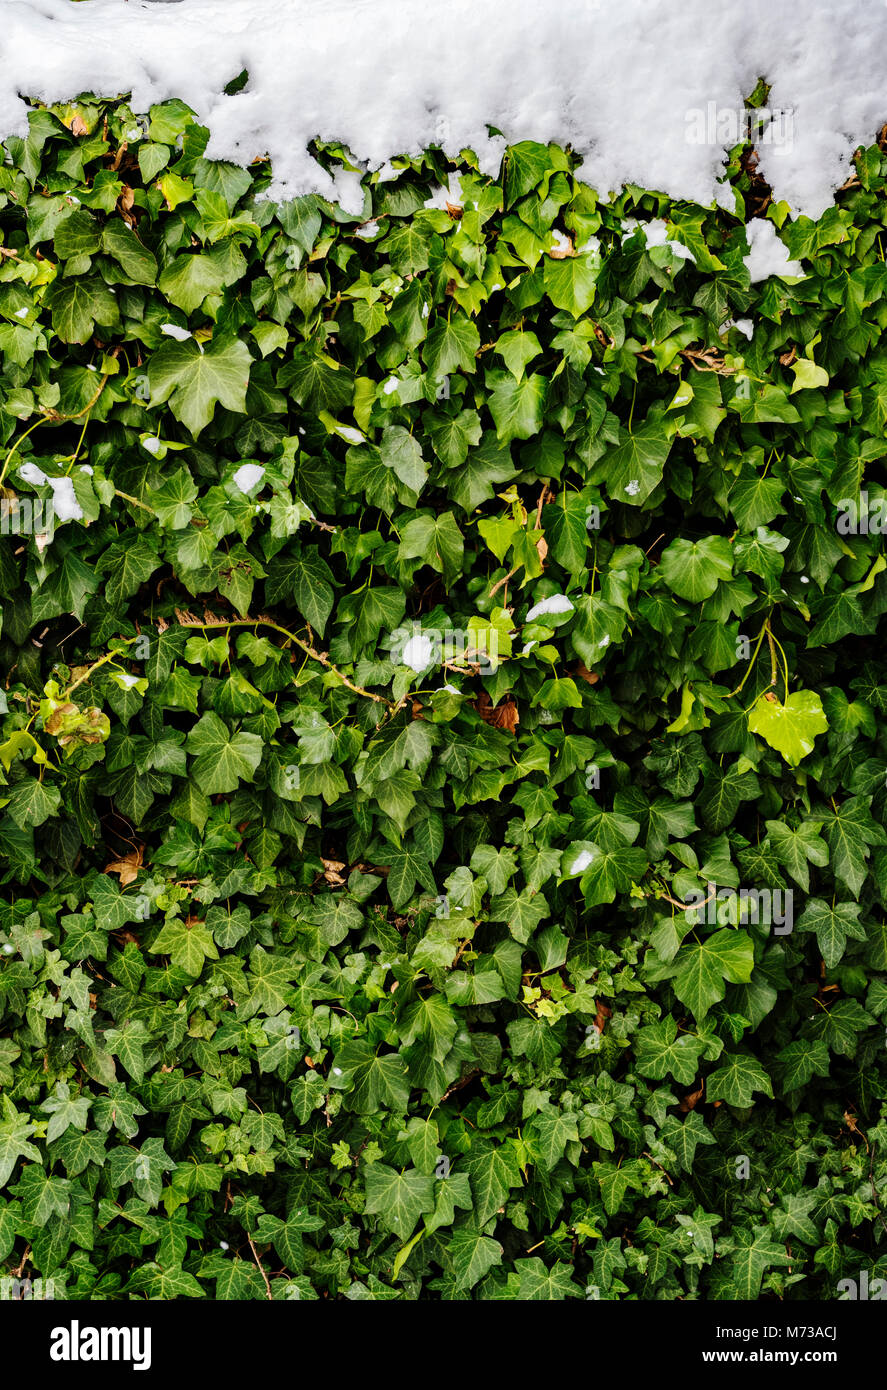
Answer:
(649, 91)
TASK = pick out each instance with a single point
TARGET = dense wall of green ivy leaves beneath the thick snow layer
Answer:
(408, 616)
